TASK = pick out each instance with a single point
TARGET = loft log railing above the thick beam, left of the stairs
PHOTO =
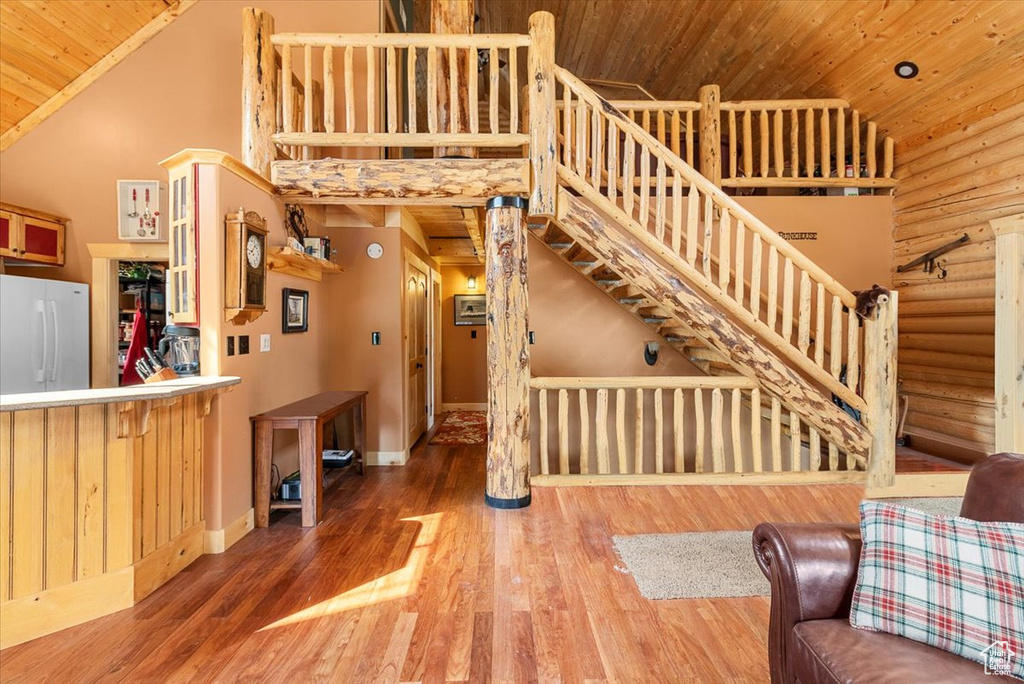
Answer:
(392, 117)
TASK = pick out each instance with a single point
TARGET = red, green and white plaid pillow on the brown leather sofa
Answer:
(951, 583)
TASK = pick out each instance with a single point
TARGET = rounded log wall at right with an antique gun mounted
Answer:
(954, 181)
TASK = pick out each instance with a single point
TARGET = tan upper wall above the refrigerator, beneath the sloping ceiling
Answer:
(182, 90)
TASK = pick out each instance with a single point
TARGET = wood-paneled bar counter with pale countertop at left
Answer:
(101, 499)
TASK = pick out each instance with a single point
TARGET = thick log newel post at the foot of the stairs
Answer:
(880, 393)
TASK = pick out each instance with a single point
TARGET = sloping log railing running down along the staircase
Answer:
(603, 154)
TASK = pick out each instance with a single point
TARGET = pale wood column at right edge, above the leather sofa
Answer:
(1009, 333)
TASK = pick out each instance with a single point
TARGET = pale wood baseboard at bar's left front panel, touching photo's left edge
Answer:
(55, 610)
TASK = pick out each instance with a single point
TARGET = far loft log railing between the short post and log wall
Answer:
(803, 143)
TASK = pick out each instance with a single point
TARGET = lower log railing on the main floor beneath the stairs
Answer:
(673, 425)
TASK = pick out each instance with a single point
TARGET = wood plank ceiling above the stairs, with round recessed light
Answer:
(971, 54)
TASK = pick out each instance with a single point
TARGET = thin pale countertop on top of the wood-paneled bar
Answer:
(77, 398)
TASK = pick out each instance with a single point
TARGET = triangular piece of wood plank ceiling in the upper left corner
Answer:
(51, 51)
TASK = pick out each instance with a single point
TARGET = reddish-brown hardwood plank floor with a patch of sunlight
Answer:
(412, 579)
